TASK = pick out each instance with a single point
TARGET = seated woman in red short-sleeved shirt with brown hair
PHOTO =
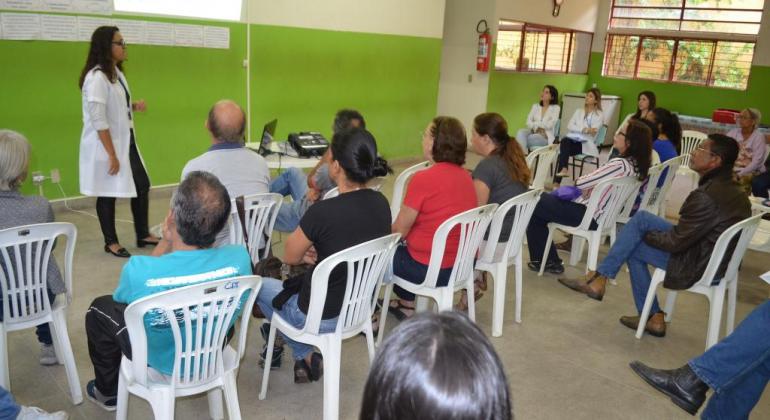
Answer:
(432, 196)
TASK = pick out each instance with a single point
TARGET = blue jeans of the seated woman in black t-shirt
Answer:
(290, 313)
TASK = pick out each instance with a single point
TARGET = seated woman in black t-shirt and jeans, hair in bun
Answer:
(357, 215)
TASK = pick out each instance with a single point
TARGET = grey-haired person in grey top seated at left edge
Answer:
(18, 210)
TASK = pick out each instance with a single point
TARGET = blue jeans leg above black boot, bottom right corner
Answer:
(737, 368)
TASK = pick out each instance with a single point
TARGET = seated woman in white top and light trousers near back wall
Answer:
(541, 121)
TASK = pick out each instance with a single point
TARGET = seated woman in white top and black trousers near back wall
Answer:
(582, 129)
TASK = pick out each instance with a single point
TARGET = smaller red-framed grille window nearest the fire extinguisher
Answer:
(527, 47)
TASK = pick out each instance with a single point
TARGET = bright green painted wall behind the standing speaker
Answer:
(300, 76)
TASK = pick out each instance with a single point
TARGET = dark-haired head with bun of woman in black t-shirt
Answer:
(356, 151)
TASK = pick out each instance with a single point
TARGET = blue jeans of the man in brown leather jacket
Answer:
(630, 248)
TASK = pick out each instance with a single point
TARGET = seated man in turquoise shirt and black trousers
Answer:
(199, 210)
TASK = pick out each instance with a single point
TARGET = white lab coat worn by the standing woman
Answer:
(94, 162)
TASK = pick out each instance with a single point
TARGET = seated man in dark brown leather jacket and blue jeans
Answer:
(683, 249)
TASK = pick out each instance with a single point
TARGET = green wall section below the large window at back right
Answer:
(685, 99)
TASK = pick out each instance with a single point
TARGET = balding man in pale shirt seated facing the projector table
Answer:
(239, 169)
